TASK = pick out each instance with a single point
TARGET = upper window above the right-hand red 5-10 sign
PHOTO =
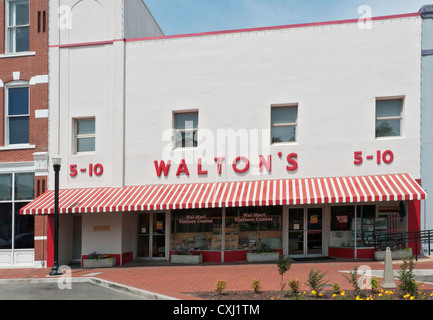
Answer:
(388, 118)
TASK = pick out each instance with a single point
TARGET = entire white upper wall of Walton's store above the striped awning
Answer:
(333, 72)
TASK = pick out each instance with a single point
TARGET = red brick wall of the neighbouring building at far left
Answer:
(29, 66)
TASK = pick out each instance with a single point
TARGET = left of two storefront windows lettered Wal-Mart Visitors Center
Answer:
(199, 229)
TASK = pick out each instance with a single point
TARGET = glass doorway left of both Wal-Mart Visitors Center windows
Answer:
(151, 235)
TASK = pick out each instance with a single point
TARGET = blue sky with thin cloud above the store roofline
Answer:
(191, 16)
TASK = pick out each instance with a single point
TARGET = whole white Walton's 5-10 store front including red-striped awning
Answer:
(304, 139)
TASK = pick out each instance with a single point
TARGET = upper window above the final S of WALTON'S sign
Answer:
(283, 123)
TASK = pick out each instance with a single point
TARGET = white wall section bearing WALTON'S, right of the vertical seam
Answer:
(334, 73)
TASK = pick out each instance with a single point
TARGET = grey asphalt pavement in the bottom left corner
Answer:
(51, 291)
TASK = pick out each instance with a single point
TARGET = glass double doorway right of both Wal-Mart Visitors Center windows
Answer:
(305, 232)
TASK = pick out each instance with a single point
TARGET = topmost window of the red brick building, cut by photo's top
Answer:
(17, 26)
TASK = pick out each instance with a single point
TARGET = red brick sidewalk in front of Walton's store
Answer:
(162, 280)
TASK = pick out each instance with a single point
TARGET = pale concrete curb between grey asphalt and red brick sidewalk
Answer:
(103, 283)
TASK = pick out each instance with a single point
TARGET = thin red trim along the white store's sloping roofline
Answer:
(211, 33)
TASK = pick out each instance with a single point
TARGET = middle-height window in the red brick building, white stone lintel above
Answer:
(17, 115)
